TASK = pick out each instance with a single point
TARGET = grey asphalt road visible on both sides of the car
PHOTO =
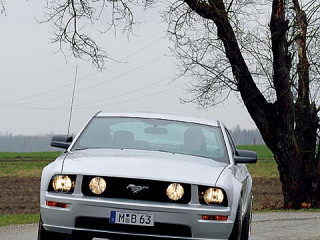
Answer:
(266, 226)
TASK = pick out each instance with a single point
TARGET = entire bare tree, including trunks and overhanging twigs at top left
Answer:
(265, 50)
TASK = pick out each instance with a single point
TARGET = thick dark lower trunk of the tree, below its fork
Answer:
(298, 167)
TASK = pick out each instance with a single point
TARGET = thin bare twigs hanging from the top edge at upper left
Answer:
(72, 21)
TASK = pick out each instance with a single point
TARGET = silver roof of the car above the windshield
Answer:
(163, 116)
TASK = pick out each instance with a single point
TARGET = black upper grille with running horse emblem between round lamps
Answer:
(123, 188)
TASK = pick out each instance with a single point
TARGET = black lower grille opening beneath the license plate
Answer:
(162, 229)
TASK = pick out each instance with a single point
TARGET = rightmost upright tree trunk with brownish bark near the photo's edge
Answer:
(307, 121)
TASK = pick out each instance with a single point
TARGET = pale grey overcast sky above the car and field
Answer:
(37, 83)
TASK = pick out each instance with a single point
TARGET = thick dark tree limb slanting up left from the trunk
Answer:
(255, 102)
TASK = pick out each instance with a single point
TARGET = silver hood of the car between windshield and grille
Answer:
(144, 165)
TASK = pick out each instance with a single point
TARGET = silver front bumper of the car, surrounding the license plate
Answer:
(172, 221)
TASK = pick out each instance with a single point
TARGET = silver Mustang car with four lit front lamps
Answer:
(147, 176)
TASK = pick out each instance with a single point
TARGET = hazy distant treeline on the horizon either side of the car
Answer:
(41, 143)
